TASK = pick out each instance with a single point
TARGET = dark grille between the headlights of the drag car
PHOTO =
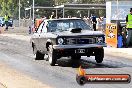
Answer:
(80, 40)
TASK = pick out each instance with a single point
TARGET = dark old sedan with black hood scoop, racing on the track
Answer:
(67, 37)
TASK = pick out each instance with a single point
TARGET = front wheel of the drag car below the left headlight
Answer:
(52, 56)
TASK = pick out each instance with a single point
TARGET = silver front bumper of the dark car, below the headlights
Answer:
(78, 46)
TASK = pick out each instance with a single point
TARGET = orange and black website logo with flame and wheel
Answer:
(83, 78)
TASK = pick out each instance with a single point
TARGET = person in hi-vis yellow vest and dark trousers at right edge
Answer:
(129, 28)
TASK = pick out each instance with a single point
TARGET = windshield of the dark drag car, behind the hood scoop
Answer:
(65, 25)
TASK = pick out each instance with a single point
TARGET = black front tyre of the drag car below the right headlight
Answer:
(99, 55)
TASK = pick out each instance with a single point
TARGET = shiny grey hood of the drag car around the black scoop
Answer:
(82, 33)
